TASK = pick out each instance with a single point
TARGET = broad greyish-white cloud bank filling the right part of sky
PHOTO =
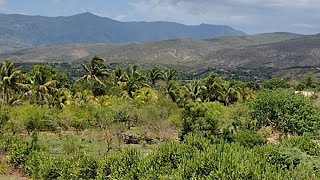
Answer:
(252, 16)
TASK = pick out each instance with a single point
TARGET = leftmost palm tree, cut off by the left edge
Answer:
(10, 80)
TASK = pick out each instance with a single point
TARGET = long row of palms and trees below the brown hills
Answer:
(46, 85)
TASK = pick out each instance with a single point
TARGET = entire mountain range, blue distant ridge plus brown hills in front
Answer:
(193, 49)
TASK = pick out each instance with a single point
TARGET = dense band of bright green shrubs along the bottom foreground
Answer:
(194, 158)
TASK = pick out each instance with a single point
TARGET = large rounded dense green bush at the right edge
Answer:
(285, 111)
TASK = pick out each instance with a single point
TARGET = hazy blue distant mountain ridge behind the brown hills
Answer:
(19, 31)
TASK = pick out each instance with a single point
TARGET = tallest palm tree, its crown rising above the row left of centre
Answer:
(95, 71)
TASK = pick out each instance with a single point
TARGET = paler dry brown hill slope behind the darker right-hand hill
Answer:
(172, 51)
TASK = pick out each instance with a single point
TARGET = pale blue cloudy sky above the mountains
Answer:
(250, 16)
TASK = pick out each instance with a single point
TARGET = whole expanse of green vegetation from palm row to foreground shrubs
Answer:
(131, 123)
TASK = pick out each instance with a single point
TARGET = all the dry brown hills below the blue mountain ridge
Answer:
(281, 52)
